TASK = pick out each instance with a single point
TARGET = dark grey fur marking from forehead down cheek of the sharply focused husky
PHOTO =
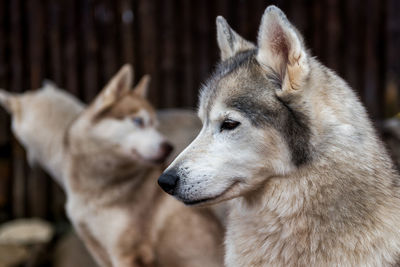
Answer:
(292, 124)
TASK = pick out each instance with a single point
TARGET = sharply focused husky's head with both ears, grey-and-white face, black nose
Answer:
(252, 130)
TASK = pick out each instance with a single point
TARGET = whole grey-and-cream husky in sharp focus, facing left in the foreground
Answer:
(291, 145)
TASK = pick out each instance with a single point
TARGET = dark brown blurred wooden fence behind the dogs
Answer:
(80, 44)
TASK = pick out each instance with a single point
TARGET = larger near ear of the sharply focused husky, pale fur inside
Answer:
(281, 48)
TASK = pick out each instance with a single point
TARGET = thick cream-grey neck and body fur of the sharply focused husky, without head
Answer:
(342, 208)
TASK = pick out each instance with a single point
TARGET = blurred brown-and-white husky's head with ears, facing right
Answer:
(120, 125)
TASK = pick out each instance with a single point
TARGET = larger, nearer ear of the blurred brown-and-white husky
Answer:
(116, 87)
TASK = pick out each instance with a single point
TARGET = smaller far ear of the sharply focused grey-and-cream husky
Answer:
(229, 41)
